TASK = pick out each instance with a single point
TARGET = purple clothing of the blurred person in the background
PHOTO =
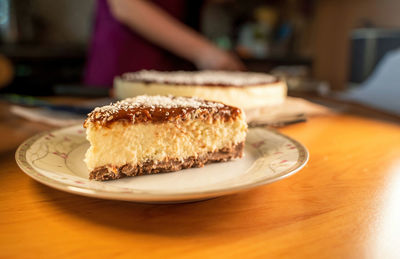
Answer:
(116, 49)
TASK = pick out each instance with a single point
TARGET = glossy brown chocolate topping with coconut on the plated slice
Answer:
(158, 109)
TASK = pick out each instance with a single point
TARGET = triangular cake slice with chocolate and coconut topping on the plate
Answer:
(153, 134)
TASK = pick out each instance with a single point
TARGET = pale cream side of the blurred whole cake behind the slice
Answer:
(245, 97)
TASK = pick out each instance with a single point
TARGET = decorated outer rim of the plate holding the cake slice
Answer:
(20, 157)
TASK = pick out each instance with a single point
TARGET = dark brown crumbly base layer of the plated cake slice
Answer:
(110, 172)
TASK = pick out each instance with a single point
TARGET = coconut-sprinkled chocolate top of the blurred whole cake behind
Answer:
(205, 77)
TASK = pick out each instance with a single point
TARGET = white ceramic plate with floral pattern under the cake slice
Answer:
(56, 159)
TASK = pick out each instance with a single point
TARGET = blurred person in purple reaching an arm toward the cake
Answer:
(130, 35)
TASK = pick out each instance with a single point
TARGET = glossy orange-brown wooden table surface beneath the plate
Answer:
(344, 204)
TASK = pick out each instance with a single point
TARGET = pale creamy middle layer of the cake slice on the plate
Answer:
(121, 144)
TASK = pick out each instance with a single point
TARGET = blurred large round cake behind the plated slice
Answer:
(243, 89)
